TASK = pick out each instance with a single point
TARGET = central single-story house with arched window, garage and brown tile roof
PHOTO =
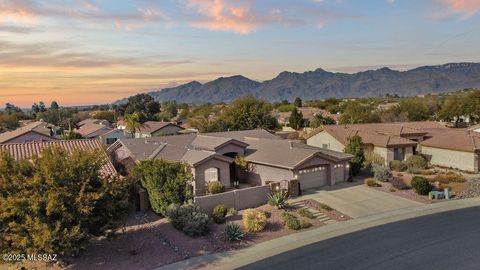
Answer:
(211, 158)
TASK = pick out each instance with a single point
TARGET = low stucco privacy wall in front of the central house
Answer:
(238, 198)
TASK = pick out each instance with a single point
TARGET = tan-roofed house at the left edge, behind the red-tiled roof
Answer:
(35, 131)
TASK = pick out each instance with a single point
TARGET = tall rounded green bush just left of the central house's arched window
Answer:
(166, 182)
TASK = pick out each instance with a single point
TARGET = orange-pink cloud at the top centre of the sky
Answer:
(225, 16)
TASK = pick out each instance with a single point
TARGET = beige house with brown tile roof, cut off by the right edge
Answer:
(455, 148)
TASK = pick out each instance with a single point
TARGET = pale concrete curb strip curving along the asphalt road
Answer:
(237, 258)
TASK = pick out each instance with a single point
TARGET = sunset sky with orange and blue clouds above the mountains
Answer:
(90, 52)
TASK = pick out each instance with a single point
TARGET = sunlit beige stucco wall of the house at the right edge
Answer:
(467, 161)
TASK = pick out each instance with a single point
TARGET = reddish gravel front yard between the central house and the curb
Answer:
(150, 241)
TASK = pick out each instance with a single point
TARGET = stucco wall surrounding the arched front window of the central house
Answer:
(199, 174)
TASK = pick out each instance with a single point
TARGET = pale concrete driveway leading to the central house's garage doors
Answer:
(357, 200)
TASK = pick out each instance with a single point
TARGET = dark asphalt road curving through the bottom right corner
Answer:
(444, 241)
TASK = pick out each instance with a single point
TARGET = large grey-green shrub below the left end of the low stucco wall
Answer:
(188, 218)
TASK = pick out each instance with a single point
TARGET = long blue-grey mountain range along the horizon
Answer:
(320, 84)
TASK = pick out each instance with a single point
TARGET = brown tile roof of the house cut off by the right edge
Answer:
(455, 139)
